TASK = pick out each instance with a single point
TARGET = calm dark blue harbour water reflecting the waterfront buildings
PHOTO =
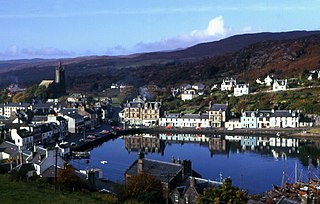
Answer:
(253, 163)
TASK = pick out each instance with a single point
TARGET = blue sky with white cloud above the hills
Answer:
(71, 28)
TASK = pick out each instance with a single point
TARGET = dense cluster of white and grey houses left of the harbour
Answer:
(26, 129)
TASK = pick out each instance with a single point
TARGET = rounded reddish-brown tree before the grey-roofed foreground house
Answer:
(145, 188)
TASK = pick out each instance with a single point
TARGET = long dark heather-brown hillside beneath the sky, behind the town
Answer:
(247, 56)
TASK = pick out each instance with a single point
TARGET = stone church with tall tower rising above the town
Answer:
(56, 87)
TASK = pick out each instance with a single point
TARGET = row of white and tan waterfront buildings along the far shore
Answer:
(140, 112)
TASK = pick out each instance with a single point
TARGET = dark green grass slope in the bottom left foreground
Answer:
(35, 192)
